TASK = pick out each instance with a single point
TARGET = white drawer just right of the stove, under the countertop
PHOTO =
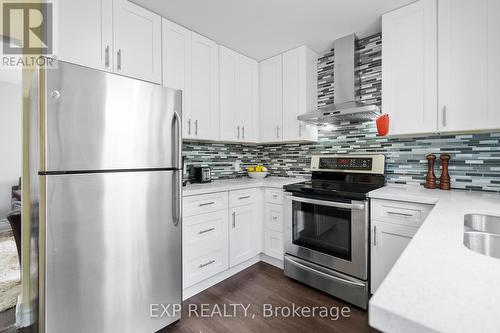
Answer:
(399, 212)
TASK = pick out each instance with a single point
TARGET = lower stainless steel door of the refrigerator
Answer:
(112, 250)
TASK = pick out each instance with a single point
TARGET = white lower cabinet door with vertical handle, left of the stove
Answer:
(241, 234)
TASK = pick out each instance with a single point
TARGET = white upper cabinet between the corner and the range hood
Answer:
(288, 88)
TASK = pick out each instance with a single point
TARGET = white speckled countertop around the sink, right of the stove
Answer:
(439, 285)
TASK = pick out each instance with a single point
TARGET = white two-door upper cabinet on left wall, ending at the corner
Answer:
(238, 97)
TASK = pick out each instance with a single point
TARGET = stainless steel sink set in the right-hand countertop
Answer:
(482, 234)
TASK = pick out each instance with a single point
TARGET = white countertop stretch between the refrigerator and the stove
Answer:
(237, 184)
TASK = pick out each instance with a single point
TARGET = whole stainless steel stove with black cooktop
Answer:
(327, 225)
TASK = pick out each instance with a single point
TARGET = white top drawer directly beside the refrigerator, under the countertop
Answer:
(205, 203)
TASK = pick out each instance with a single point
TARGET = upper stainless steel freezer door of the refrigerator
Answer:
(97, 120)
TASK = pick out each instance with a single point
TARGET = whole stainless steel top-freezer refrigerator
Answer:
(105, 200)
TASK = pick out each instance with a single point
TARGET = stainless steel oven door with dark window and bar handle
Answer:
(329, 233)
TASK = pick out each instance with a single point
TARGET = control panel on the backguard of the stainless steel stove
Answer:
(349, 163)
